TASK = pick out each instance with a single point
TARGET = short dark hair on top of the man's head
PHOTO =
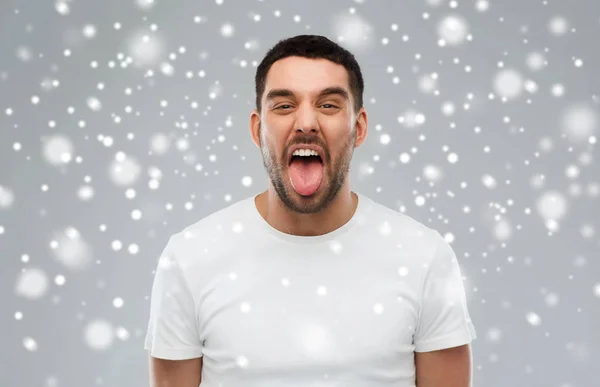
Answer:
(312, 47)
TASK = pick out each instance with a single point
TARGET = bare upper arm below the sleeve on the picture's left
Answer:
(175, 373)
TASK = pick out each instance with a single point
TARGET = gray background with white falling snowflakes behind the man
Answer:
(520, 203)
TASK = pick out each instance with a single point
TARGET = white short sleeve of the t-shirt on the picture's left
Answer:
(172, 329)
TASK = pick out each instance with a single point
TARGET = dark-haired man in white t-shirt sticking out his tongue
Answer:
(308, 283)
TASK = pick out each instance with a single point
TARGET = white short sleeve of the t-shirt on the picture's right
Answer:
(444, 320)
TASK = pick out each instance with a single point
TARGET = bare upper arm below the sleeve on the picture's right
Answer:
(449, 367)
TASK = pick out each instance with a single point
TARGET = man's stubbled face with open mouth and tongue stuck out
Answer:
(305, 116)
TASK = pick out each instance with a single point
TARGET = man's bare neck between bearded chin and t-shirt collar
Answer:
(340, 211)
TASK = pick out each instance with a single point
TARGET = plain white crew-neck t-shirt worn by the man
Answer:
(269, 309)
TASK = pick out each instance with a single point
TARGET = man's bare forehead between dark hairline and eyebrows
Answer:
(304, 75)
